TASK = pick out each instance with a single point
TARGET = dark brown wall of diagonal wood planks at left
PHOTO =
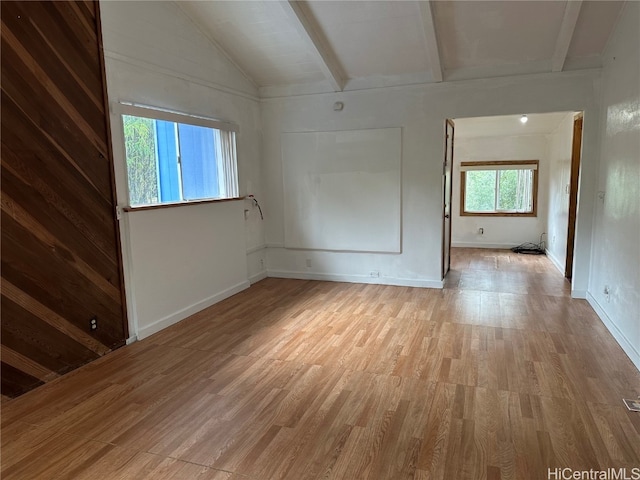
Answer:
(61, 261)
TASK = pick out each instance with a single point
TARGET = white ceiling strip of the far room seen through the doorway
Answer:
(509, 125)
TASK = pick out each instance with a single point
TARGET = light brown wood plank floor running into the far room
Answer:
(501, 375)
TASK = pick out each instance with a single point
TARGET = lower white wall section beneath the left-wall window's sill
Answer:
(177, 269)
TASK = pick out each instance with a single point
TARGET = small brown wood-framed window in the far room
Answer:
(499, 188)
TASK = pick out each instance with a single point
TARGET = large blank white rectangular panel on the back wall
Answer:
(342, 190)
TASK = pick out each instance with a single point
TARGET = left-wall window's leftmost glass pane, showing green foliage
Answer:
(142, 171)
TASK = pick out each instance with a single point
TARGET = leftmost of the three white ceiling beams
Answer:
(310, 32)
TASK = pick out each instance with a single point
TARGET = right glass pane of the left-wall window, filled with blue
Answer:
(198, 158)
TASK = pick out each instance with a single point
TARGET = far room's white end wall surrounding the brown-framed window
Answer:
(499, 232)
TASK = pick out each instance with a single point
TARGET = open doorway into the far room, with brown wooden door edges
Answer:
(552, 138)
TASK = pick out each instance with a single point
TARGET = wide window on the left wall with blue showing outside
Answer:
(174, 158)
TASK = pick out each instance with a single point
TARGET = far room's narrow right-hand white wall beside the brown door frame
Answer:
(560, 143)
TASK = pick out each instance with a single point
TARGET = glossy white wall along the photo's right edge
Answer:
(616, 234)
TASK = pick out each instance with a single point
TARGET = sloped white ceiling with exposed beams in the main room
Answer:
(341, 45)
